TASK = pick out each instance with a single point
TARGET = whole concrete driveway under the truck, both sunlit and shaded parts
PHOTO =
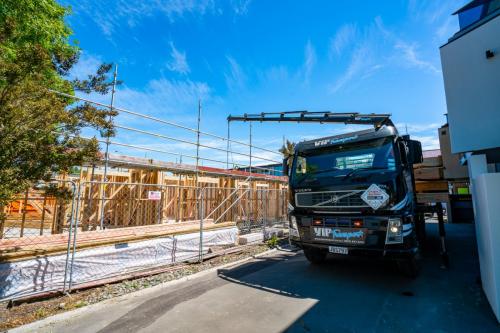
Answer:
(283, 292)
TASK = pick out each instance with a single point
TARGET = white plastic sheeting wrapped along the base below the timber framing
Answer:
(47, 273)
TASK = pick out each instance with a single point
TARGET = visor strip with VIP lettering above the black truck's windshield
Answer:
(359, 136)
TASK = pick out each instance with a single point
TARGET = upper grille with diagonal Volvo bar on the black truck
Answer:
(335, 199)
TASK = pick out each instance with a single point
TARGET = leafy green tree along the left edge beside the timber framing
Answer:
(39, 130)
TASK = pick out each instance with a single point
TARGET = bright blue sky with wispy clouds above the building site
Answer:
(256, 56)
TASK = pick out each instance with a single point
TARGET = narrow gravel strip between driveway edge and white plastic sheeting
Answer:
(28, 312)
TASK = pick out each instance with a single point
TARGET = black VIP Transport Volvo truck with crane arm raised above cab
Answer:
(353, 194)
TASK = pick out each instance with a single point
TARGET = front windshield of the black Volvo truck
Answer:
(344, 160)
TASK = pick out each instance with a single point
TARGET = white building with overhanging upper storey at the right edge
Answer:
(471, 71)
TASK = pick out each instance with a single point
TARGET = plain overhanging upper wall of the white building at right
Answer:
(472, 86)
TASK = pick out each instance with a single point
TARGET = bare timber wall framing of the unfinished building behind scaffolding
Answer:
(124, 199)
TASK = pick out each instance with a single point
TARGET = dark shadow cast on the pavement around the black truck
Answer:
(359, 295)
